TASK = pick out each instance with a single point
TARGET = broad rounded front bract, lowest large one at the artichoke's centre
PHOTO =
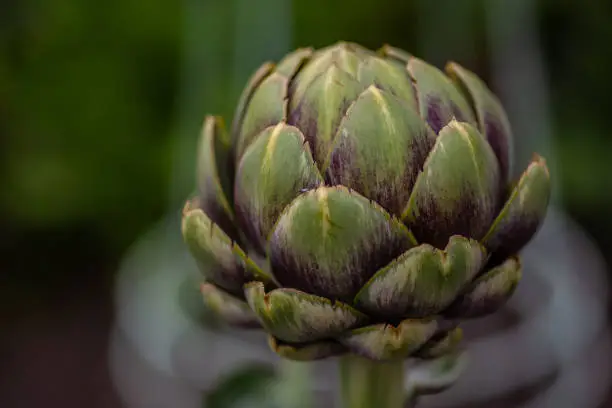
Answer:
(330, 241)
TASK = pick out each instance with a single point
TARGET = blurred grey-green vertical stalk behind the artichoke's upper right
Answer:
(518, 64)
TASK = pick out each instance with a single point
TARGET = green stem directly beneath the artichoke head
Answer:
(369, 384)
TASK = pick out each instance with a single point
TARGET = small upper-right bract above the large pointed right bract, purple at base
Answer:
(439, 99)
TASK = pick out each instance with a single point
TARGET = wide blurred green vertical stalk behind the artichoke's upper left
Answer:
(219, 53)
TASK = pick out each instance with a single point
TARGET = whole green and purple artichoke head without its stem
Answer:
(361, 203)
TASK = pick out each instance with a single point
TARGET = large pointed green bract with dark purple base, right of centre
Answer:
(458, 190)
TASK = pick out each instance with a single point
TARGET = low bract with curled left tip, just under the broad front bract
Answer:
(298, 317)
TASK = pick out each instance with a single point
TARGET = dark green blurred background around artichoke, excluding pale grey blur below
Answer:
(100, 107)
